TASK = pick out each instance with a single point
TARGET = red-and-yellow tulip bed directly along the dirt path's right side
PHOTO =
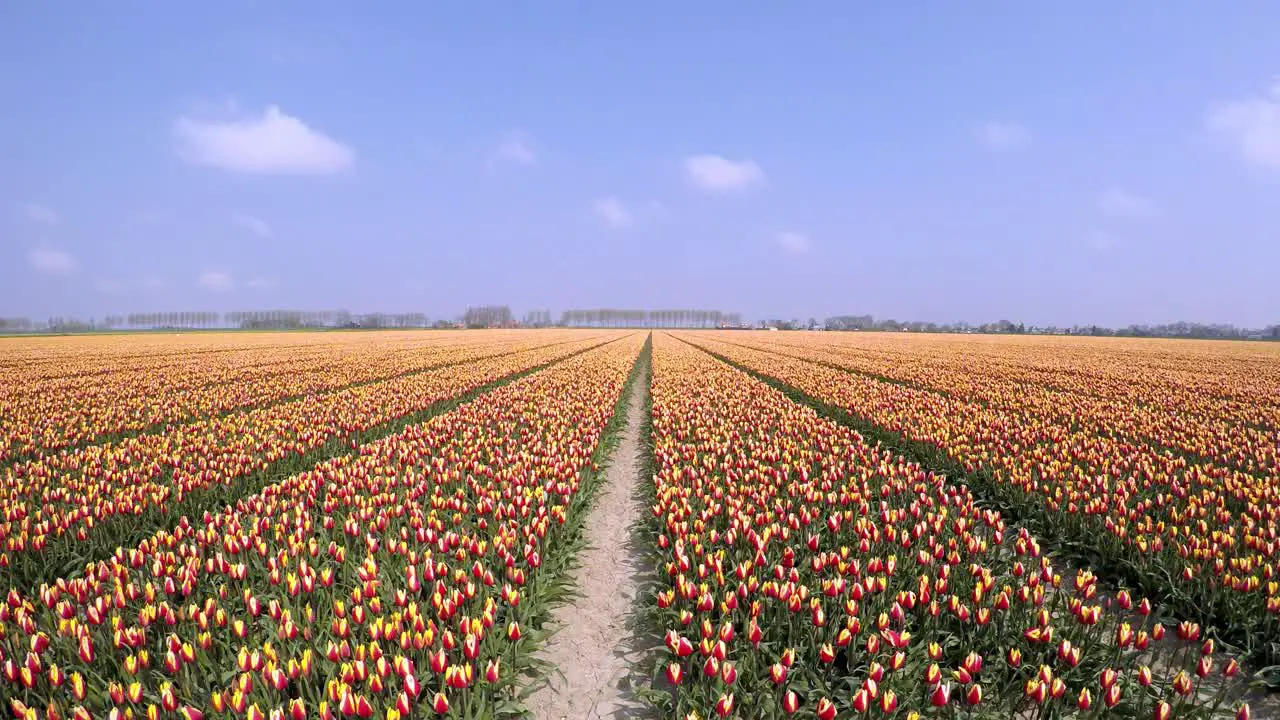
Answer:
(810, 575)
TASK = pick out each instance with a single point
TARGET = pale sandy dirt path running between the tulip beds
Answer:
(595, 650)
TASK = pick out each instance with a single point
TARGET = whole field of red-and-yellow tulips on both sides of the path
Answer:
(836, 526)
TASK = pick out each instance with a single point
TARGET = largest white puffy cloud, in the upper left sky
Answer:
(272, 144)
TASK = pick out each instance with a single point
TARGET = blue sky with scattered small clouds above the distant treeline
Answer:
(1044, 162)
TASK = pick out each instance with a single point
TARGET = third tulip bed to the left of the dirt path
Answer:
(44, 417)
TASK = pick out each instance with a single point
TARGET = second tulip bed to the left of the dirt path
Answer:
(63, 511)
